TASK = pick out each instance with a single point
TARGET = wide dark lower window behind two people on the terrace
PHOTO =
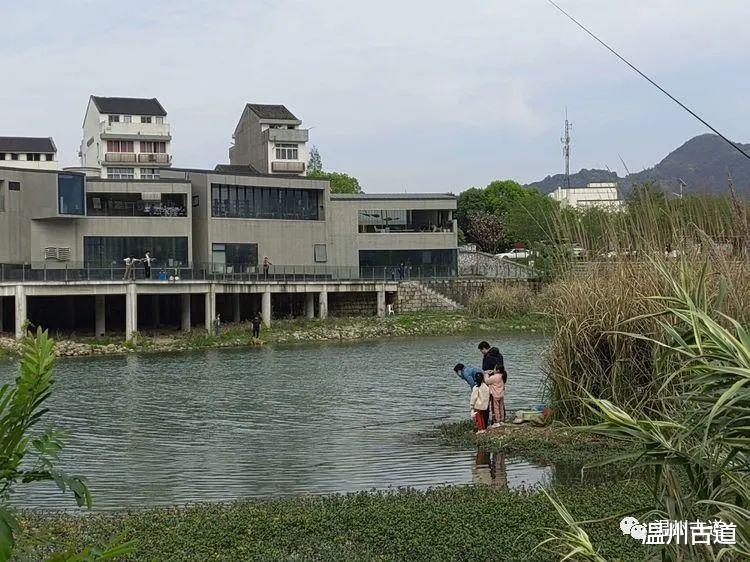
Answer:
(106, 251)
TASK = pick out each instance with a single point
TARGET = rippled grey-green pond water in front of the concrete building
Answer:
(159, 429)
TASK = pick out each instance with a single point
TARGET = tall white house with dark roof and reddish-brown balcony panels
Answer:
(126, 138)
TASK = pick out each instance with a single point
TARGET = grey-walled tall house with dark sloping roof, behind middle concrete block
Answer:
(268, 139)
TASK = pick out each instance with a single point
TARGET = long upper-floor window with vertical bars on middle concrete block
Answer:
(250, 202)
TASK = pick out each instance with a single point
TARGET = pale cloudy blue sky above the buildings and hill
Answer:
(418, 96)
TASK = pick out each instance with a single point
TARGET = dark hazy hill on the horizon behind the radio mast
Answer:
(701, 162)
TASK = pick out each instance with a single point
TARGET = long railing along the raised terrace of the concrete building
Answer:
(54, 271)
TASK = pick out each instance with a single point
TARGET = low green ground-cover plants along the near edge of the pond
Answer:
(453, 523)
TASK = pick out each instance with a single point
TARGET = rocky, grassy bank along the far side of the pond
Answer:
(283, 331)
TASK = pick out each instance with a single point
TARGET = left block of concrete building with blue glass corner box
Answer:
(53, 220)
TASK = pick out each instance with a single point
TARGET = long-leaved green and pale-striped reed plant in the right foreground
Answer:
(696, 447)
